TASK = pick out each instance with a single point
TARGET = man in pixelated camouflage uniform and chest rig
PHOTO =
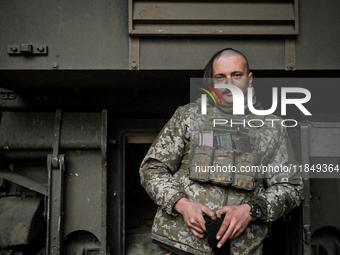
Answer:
(242, 202)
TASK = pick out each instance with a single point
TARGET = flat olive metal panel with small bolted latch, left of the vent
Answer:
(79, 34)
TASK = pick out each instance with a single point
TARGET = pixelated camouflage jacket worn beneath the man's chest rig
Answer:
(166, 183)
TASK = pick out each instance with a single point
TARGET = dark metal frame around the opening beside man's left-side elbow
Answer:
(122, 132)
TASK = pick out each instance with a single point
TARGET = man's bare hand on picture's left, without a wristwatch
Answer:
(193, 215)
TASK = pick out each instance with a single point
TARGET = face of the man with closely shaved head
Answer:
(231, 70)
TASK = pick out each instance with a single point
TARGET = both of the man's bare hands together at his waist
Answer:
(237, 218)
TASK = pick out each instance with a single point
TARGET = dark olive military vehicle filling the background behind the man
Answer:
(85, 86)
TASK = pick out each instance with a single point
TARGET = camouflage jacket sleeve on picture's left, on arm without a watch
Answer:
(163, 159)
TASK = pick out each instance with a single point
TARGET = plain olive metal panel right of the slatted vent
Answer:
(318, 40)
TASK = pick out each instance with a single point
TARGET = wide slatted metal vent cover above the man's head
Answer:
(213, 18)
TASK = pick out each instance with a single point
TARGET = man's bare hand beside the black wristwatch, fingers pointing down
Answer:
(237, 218)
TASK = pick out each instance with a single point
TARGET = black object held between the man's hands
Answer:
(212, 227)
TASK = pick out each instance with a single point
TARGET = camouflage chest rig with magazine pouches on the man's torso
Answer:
(233, 166)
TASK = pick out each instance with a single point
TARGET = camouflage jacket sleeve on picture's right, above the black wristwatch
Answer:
(284, 184)
